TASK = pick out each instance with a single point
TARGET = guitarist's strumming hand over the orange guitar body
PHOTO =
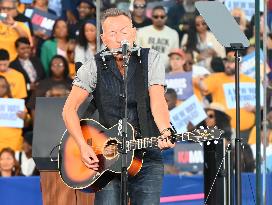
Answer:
(89, 157)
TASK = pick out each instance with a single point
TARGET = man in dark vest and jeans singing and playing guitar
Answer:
(102, 78)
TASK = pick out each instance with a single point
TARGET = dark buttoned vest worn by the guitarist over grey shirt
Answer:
(108, 94)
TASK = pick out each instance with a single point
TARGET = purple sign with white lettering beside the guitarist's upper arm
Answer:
(181, 83)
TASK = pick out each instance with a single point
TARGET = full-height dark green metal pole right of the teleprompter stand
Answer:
(258, 128)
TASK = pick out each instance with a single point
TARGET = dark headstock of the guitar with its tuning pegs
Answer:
(203, 135)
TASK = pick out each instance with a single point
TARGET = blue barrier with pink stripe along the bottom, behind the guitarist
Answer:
(177, 190)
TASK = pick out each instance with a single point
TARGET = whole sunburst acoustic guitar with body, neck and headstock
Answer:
(106, 144)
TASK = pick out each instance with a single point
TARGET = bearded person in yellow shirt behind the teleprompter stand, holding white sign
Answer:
(214, 85)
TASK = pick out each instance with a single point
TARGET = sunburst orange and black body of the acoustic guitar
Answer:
(104, 142)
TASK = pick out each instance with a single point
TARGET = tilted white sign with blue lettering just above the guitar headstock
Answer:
(189, 111)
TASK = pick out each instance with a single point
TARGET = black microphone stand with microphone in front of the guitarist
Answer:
(124, 172)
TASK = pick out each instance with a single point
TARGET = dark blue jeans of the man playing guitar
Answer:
(143, 189)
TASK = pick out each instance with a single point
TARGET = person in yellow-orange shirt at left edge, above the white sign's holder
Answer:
(15, 78)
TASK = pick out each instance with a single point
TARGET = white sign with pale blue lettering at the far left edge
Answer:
(8, 110)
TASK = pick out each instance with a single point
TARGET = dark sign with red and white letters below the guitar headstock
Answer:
(189, 157)
